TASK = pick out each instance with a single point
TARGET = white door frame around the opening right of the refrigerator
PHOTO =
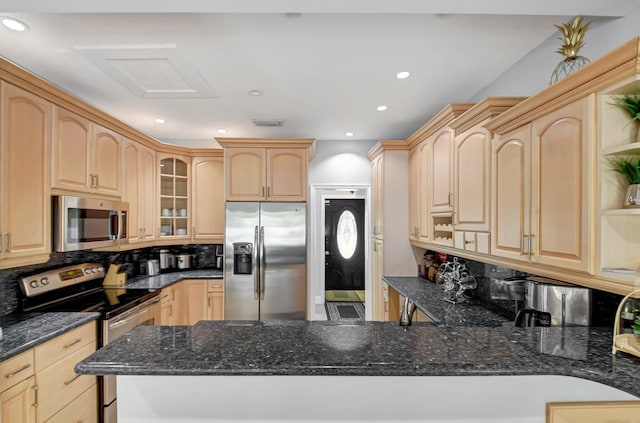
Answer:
(320, 193)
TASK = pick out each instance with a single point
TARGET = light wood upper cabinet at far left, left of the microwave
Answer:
(25, 206)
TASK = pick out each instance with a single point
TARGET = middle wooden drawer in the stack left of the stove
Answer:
(59, 384)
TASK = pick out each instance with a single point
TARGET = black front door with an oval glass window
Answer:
(344, 244)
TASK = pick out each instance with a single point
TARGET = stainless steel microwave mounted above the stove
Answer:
(81, 223)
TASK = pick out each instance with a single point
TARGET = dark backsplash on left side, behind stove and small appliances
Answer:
(10, 294)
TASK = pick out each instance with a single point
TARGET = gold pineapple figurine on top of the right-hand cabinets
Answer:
(572, 41)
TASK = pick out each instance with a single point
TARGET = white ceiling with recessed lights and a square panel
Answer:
(323, 66)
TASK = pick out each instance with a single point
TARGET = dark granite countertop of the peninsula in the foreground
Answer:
(364, 348)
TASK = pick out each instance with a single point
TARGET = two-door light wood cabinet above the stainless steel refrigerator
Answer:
(266, 169)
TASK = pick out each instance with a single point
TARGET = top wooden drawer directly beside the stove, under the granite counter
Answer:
(65, 344)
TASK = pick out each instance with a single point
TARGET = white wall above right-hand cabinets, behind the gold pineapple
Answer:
(531, 74)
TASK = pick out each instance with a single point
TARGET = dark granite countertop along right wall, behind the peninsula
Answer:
(428, 298)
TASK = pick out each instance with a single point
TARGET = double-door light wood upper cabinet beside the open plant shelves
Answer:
(541, 190)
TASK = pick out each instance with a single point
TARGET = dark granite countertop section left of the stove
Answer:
(30, 331)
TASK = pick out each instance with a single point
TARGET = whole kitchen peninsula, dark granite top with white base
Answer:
(192, 372)
